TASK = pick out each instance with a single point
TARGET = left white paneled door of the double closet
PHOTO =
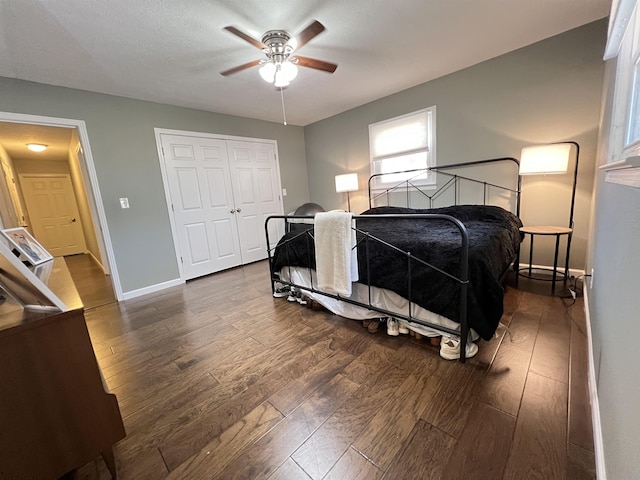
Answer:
(199, 183)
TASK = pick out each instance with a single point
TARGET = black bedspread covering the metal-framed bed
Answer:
(493, 242)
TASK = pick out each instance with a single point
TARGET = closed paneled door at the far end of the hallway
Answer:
(53, 213)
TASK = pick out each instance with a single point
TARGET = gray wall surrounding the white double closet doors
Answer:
(124, 150)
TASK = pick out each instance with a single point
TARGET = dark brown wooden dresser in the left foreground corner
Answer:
(55, 412)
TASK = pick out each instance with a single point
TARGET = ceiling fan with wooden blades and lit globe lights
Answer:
(279, 64)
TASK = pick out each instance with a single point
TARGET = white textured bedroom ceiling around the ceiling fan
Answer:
(171, 51)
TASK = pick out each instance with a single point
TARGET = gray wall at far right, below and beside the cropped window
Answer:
(614, 304)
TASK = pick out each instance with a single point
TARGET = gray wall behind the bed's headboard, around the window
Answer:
(547, 92)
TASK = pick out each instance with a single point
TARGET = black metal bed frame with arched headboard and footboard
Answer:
(462, 280)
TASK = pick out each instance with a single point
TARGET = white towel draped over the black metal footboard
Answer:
(336, 255)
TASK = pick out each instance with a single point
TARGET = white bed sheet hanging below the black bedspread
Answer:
(380, 297)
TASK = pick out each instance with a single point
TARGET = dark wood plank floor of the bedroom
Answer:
(217, 379)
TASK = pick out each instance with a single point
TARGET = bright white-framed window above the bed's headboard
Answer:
(401, 144)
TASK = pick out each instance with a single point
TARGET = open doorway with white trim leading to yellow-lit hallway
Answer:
(55, 195)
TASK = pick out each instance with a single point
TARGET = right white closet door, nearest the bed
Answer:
(256, 187)
